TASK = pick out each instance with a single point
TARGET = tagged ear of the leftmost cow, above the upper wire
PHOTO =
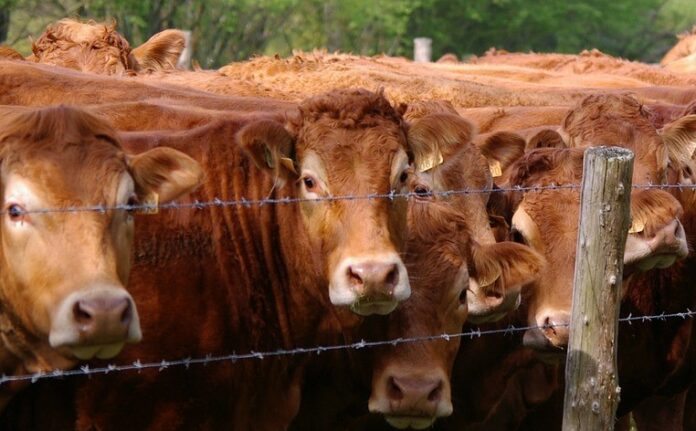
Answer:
(163, 174)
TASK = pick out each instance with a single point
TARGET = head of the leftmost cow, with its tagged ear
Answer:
(64, 272)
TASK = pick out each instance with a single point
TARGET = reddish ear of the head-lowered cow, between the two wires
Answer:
(510, 264)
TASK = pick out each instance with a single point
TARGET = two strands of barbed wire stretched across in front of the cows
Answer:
(164, 364)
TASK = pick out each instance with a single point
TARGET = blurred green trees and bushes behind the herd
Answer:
(228, 30)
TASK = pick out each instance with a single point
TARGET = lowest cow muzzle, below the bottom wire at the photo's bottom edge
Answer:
(411, 400)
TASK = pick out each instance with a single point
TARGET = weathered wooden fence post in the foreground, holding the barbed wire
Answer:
(592, 390)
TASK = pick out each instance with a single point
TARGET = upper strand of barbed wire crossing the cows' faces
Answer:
(217, 202)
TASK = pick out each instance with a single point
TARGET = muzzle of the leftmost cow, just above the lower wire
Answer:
(95, 322)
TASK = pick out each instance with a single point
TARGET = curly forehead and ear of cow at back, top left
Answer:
(99, 48)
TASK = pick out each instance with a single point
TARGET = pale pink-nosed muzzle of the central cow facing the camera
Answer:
(371, 285)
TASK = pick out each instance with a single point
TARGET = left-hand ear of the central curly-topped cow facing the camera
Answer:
(270, 146)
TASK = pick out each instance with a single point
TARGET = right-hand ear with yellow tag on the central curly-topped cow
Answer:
(434, 137)
